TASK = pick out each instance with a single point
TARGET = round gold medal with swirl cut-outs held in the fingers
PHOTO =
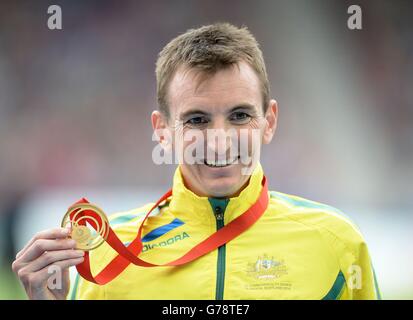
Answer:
(83, 225)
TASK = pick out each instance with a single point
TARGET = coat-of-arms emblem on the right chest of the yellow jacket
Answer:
(267, 268)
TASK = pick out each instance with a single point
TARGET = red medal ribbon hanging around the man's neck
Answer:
(130, 254)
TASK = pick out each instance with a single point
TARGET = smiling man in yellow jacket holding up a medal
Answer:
(214, 78)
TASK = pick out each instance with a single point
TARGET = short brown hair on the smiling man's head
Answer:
(209, 48)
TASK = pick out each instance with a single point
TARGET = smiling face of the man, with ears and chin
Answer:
(226, 109)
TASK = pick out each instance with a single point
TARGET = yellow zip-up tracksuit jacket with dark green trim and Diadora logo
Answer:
(298, 249)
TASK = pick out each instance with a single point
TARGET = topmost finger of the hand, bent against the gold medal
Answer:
(39, 247)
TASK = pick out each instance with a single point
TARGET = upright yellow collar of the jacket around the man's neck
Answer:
(198, 210)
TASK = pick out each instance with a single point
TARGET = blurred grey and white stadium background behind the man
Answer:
(75, 107)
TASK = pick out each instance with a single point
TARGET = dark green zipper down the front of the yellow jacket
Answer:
(218, 207)
